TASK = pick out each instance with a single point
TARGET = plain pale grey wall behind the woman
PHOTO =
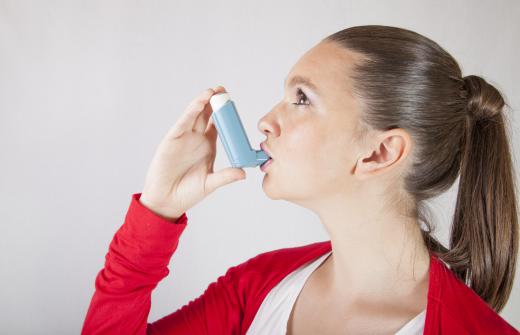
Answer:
(89, 88)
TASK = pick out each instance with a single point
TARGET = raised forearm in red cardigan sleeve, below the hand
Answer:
(136, 262)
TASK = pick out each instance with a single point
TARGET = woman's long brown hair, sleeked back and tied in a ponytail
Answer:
(458, 126)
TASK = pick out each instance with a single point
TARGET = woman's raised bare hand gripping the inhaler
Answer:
(181, 172)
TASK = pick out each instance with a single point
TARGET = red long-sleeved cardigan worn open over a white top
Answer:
(138, 259)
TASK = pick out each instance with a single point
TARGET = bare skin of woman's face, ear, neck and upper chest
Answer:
(376, 278)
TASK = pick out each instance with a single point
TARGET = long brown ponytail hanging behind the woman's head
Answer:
(484, 237)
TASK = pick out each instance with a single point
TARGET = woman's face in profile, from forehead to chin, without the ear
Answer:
(311, 132)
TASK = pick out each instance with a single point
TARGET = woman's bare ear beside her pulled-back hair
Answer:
(389, 150)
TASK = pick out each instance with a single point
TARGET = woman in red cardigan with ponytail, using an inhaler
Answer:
(375, 120)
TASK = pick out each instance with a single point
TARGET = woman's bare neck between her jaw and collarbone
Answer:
(376, 254)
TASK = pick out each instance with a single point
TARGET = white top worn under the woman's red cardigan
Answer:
(273, 314)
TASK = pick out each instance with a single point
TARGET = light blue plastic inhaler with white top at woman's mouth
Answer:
(232, 134)
